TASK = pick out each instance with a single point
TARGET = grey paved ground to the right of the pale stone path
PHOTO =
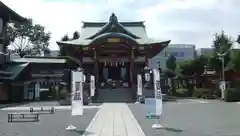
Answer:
(198, 118)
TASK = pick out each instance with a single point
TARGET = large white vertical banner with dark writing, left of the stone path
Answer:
(77, 93)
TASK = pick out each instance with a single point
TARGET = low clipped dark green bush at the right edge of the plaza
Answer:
(232, 94)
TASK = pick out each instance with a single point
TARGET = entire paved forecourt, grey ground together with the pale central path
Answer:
(180, 118)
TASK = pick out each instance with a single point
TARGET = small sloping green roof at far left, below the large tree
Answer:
(16, 69)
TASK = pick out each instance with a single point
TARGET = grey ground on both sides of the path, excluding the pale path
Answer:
(180, 118)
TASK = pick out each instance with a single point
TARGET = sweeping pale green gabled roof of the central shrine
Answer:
(91, 30)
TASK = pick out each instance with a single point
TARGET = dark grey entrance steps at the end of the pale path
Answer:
(115, 95)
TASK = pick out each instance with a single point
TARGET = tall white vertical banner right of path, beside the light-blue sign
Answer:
(157, 90)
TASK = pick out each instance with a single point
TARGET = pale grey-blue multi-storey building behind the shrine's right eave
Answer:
(182, 52)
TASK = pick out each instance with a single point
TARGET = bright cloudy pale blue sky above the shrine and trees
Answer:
(182, 21)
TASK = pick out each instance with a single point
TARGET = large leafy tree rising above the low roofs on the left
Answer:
(27, 38)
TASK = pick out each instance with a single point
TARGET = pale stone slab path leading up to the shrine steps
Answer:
(114, 119)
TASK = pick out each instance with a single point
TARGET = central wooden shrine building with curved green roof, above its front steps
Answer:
(113, 51)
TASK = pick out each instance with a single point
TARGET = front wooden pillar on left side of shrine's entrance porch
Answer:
(96, 71)
